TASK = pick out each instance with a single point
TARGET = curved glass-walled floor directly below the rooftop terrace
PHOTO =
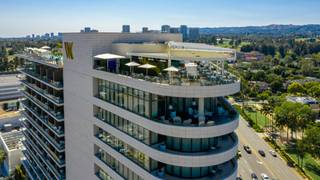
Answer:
(170, 110)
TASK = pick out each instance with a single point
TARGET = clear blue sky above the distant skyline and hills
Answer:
(22, 17)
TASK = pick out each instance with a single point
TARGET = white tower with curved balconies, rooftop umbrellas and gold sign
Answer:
(147, 106)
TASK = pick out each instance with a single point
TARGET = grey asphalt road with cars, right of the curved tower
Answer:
(274, 167)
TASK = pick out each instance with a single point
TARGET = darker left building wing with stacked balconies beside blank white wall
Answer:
(44, 117)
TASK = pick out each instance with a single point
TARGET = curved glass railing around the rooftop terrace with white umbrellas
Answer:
(204, 74)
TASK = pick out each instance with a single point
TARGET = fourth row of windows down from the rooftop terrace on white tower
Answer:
(118, 167)
